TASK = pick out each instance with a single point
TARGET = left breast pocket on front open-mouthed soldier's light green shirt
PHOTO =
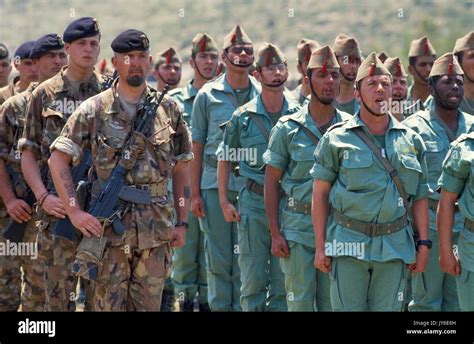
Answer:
(357, 167)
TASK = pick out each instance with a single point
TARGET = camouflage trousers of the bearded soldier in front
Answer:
(131, 279)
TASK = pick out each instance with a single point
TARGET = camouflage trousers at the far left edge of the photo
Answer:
(21, 277)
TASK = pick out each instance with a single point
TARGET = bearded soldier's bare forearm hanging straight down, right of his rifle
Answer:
(181, 190)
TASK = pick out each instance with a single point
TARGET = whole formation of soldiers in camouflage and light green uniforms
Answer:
(333, 206)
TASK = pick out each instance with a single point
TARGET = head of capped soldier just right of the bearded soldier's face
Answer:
(167, 69)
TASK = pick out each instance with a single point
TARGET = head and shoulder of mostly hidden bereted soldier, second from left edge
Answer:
(27, 72)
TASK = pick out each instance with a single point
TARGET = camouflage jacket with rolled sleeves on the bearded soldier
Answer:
(102, 126)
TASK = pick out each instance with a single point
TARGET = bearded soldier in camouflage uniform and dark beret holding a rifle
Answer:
(135, 263)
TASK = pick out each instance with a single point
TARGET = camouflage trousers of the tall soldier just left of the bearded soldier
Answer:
(57, 254)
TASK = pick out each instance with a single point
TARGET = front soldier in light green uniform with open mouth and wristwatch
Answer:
(363, 235)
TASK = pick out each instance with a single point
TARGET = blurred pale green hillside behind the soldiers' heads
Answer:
(378, 25)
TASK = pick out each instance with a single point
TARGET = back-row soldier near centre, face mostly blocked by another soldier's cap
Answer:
(305, 46)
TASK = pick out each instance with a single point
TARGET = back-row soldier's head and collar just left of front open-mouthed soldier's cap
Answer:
(349, 58)
